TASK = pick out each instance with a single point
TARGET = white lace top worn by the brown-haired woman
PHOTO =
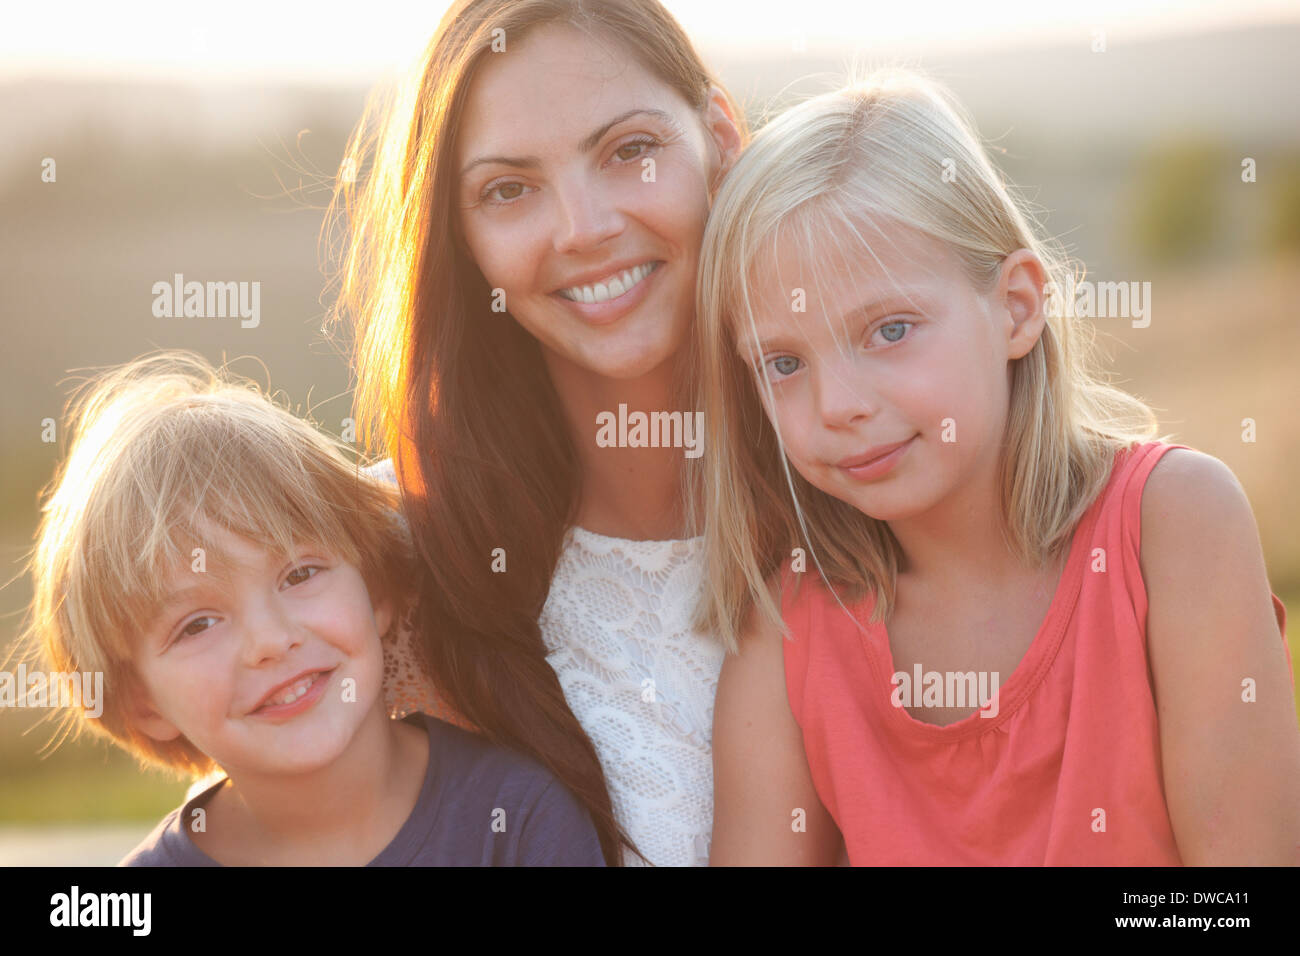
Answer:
(642, 682)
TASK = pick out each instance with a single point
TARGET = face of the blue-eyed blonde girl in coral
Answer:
(891, 391)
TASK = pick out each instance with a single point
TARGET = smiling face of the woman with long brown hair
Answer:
(584, 187)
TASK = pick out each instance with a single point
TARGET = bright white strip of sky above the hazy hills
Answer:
(346, 42)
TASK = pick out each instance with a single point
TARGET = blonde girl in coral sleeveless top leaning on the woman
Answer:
(1019, 630)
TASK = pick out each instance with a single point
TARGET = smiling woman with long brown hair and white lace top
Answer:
(522, 263)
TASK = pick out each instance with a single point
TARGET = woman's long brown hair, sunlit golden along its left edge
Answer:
(460, 395)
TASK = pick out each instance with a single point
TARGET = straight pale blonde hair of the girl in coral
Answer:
(860, 162)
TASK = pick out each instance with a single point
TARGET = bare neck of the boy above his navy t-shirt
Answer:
(352, 808)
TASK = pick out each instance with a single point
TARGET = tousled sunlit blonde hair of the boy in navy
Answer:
(162, 449)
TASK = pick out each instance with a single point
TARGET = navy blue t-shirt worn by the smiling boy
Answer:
(480, 806)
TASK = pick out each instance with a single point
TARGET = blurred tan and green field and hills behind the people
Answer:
(1136, 159)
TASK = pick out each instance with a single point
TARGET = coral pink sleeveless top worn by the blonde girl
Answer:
(1068, 773)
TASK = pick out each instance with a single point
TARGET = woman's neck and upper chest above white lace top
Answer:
(626, 492)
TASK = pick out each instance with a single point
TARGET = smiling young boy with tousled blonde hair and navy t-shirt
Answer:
(235, 579)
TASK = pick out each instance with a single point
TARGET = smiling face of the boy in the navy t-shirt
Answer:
(268, 667)
